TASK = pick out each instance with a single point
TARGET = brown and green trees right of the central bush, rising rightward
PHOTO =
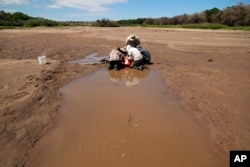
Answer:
(238, 15)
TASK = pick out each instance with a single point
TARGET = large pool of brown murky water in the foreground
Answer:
(122, 118)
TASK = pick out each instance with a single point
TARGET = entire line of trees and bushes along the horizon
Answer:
(238, 15)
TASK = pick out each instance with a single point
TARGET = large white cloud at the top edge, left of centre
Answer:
(88, 5)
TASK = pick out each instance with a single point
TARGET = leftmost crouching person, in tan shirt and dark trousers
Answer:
(116, 57)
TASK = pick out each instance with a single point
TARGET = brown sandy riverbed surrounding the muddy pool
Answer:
(207, 70)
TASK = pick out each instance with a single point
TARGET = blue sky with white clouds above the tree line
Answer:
(91, 10)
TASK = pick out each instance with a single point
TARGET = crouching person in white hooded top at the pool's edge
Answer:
(135, 55)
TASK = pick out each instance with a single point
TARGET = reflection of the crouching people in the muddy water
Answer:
(130, 76)
